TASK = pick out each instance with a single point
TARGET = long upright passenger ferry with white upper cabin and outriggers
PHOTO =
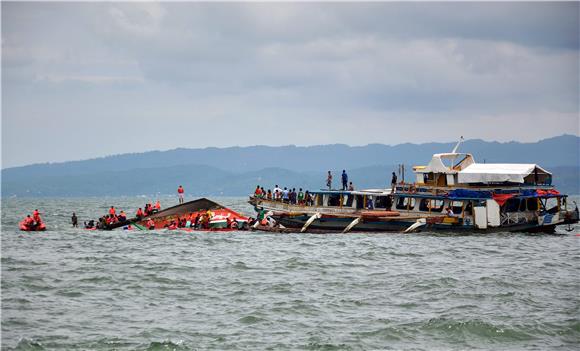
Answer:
(452, 193)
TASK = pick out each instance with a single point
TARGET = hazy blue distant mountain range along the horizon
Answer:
(237, 170)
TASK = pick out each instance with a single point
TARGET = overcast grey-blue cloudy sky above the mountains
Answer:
(83, 80)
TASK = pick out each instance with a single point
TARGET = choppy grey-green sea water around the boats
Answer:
(69, 289)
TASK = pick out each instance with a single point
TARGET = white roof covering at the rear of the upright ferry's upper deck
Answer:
(498, 172)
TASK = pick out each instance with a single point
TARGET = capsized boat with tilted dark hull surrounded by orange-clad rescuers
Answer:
(218, 217)
